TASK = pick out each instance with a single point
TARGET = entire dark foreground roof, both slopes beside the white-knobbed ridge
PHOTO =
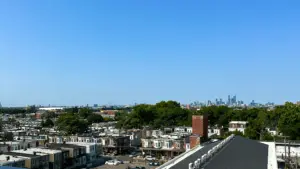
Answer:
(239, 153)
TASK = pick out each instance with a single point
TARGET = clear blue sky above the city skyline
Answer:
(121, 52)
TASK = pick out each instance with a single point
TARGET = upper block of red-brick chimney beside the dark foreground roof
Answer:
(200, 125)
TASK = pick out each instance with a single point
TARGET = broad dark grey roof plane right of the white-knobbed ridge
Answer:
(240, 153)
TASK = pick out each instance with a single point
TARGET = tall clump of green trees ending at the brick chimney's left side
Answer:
(160, 115)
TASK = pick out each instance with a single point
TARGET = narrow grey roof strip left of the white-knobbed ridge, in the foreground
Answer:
(192, 158)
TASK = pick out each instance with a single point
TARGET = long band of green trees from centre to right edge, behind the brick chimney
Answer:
(285, 118)
